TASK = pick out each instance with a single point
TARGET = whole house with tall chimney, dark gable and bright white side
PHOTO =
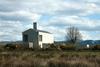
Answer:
(34, 38)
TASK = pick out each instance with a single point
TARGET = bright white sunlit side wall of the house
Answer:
(47, 38)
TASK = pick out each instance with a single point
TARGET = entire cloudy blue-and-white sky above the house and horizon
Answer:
(54, 16)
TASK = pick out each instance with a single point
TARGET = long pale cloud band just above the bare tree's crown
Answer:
(63, 21)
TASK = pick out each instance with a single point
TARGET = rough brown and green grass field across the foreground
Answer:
(30, 58)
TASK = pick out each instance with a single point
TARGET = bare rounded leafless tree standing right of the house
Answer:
(73, 35)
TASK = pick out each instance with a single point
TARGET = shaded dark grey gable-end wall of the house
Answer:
(32, 38)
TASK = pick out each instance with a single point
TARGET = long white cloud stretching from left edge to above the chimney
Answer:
(23, 16)
